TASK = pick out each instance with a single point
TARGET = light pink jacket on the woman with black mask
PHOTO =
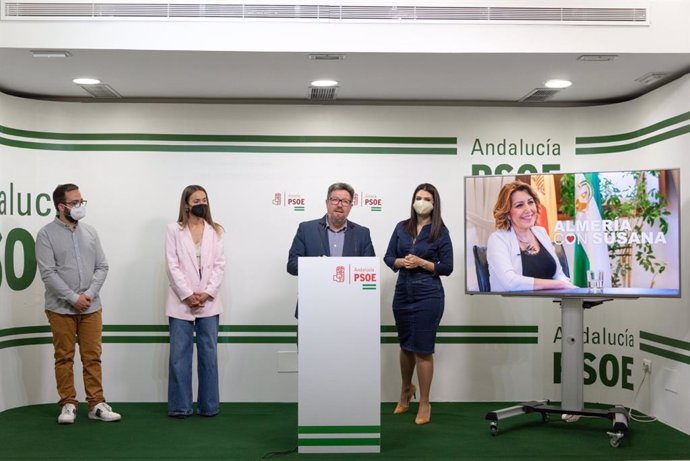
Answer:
(183, 271)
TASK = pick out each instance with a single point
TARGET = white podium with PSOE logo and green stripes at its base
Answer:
(339, 355)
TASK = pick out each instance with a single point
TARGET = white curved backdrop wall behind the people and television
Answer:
(133, 194)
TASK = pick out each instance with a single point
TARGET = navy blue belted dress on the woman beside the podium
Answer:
(419, 298)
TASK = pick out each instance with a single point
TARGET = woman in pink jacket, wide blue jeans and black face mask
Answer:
(196, 264)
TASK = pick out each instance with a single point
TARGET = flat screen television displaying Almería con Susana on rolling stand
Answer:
(613, 234)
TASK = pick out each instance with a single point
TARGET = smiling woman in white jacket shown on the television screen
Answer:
(520, 254)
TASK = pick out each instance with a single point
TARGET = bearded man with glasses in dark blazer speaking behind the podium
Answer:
(333, 234)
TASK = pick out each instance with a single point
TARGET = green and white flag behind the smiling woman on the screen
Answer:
(591, 251)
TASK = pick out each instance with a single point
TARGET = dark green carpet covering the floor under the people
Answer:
(250, 431)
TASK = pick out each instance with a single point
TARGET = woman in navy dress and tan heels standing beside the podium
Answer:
(421, 251)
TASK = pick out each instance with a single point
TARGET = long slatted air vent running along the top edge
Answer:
(607, 12)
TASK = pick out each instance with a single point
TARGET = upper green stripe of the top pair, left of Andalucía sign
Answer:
(225, 138)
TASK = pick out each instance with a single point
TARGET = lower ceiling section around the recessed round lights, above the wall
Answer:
(438, 78)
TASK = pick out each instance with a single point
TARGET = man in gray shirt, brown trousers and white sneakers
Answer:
(73, 268)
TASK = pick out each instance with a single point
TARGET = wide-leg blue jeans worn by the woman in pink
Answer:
(180, 366)
